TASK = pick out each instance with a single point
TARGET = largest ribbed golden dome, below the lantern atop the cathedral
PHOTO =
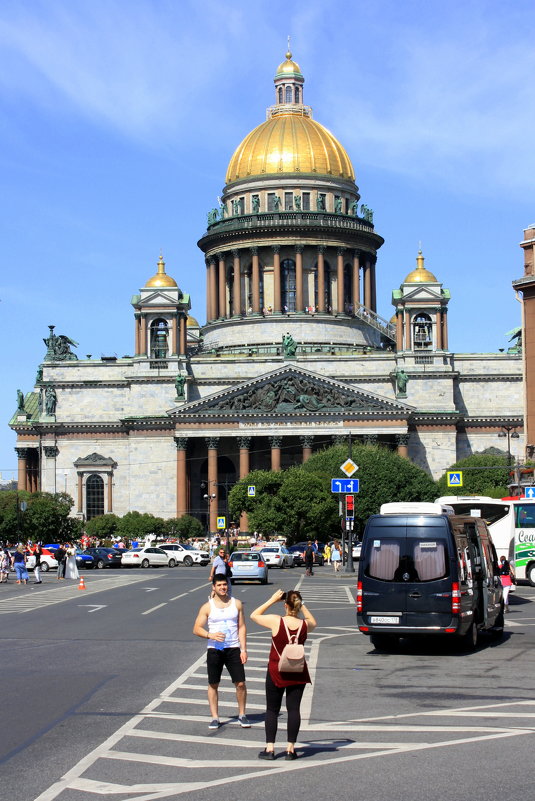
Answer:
(289, 143)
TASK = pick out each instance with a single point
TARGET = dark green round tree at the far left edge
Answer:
(46, 517)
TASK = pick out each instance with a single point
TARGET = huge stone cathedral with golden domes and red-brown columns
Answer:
(293, 355)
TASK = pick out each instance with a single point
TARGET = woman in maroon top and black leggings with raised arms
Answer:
(283, 631)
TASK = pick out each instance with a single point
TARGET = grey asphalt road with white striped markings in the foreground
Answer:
(104, 695)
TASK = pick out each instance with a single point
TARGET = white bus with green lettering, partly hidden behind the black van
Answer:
(511, 522)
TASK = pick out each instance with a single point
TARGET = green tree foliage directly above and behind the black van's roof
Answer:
(483, 474)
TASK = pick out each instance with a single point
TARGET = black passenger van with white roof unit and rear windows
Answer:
(426, 571)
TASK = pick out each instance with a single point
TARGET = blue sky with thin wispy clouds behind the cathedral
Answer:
(118, 119)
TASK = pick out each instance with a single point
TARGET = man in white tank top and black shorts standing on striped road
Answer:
(221, 622)
